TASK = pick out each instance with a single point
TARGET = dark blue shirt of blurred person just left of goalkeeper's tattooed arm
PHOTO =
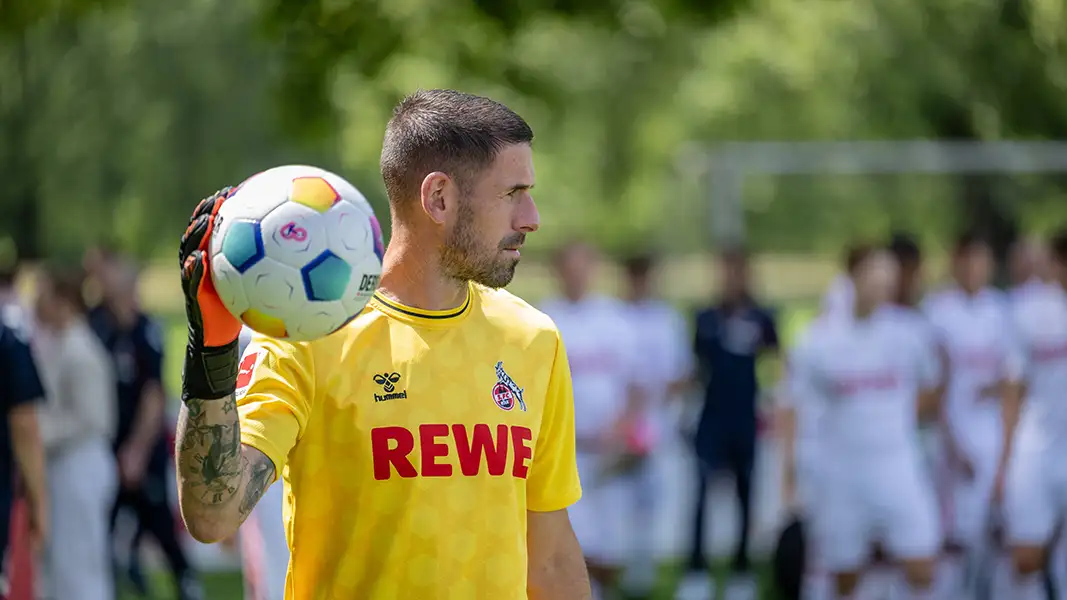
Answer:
(137, 356)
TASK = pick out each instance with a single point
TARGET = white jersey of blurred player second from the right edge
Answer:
(975, 334)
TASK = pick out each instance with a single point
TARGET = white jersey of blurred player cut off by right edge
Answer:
(1040, 323)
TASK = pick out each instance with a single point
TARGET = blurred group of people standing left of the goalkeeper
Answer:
(93, 377)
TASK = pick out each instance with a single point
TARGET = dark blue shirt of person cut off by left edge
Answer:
(20, 385)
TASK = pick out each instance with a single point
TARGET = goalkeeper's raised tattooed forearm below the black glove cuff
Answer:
(219, 480)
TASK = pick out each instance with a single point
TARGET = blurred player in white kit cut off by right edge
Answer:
(1033, 470)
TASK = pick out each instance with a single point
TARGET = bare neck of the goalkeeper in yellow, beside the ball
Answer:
(411, 275)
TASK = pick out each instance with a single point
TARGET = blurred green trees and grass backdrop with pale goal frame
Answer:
(675, 127)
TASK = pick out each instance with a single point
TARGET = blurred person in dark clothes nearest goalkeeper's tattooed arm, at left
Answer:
(136, 346)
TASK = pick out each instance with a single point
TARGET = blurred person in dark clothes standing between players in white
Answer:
(730, 338)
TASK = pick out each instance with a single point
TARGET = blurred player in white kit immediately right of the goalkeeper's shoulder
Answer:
(606, 369)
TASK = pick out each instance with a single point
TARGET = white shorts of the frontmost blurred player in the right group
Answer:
(861, 503)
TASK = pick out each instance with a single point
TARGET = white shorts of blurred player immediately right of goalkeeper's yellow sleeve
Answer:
(603, 519)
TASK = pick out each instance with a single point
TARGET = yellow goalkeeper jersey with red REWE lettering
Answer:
(411, 445)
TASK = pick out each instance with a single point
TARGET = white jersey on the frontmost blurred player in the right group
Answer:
(864, 378)
